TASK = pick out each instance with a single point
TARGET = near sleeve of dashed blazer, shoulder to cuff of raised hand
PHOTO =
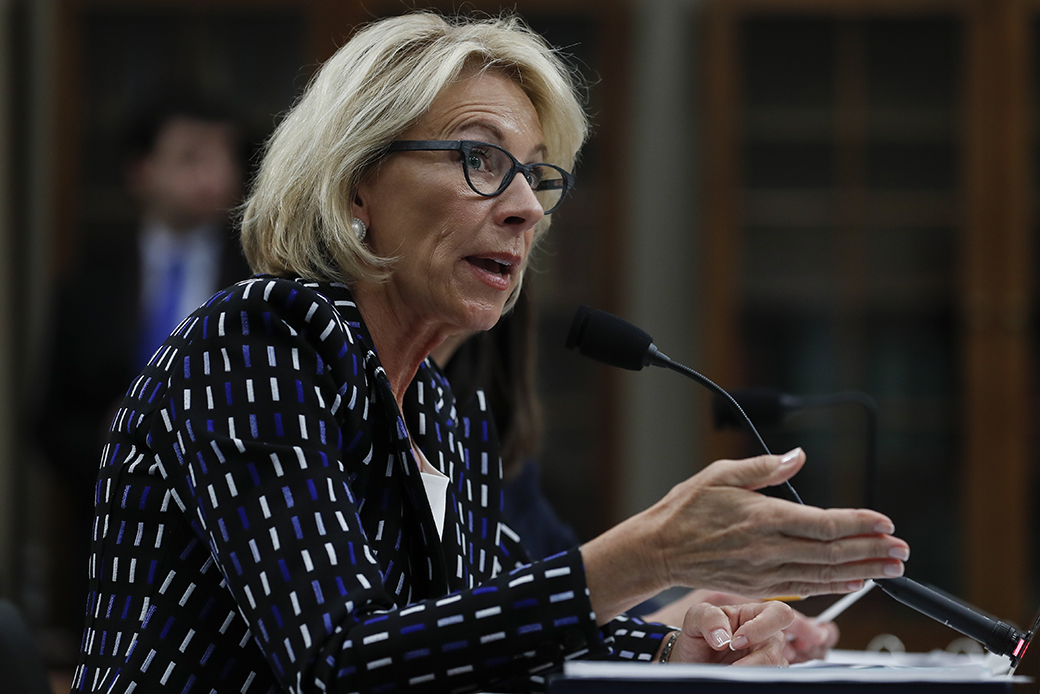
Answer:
(253, 435)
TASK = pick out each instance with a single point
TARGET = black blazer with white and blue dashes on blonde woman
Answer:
(262, 525)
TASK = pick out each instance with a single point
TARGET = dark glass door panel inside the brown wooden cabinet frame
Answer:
(848, 225)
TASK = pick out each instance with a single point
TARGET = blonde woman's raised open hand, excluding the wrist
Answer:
(714, 531)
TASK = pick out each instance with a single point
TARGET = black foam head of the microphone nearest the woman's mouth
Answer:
(606, 338)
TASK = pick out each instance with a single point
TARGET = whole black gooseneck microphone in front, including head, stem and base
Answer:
(612, 341)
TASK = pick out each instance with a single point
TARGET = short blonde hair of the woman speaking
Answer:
(298, 217)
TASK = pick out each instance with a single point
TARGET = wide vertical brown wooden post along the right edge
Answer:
(996, 301)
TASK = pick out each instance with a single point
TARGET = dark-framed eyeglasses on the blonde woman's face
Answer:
(489, 169)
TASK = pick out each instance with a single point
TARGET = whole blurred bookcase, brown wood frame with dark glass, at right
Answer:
(870, 225)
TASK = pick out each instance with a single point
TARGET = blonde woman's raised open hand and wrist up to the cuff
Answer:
(715, 531)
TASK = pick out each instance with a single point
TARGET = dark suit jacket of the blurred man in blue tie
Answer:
(94, 355)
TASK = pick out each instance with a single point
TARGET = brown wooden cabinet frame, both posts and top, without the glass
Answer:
(996, 272)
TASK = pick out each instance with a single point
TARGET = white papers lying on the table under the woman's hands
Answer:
(845, 666)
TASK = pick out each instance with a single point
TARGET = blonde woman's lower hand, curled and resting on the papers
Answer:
(735, 635)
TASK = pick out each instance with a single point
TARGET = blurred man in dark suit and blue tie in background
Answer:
(129, 289)
